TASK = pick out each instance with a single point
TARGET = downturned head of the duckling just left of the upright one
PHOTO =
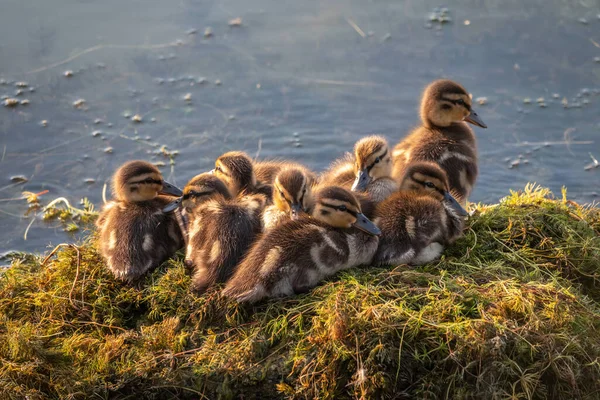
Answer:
(373, 161)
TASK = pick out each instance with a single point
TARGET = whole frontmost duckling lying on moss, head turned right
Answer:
(296, 255)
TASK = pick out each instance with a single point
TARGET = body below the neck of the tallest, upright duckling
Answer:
(454, 149)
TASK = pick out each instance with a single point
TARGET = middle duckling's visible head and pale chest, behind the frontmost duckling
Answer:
(292, 196)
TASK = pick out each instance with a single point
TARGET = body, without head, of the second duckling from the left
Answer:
(220, 234)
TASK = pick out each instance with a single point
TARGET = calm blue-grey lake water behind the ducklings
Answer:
(298, 79)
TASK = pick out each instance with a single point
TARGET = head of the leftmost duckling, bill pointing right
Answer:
(137, 181)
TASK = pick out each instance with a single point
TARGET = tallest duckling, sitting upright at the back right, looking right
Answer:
(444, 137)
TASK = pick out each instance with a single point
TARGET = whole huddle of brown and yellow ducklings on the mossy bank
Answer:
(274, 228)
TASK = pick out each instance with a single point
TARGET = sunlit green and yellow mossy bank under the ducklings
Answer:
(511, 311)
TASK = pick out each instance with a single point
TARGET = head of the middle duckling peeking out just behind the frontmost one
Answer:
(292, 191)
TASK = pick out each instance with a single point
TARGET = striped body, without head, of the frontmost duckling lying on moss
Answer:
(296, 256)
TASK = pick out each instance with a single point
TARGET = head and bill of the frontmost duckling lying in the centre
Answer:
(339, 208)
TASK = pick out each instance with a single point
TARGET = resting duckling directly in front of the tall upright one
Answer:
(419, 220)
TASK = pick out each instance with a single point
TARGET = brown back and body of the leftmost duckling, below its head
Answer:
(137, 237)
